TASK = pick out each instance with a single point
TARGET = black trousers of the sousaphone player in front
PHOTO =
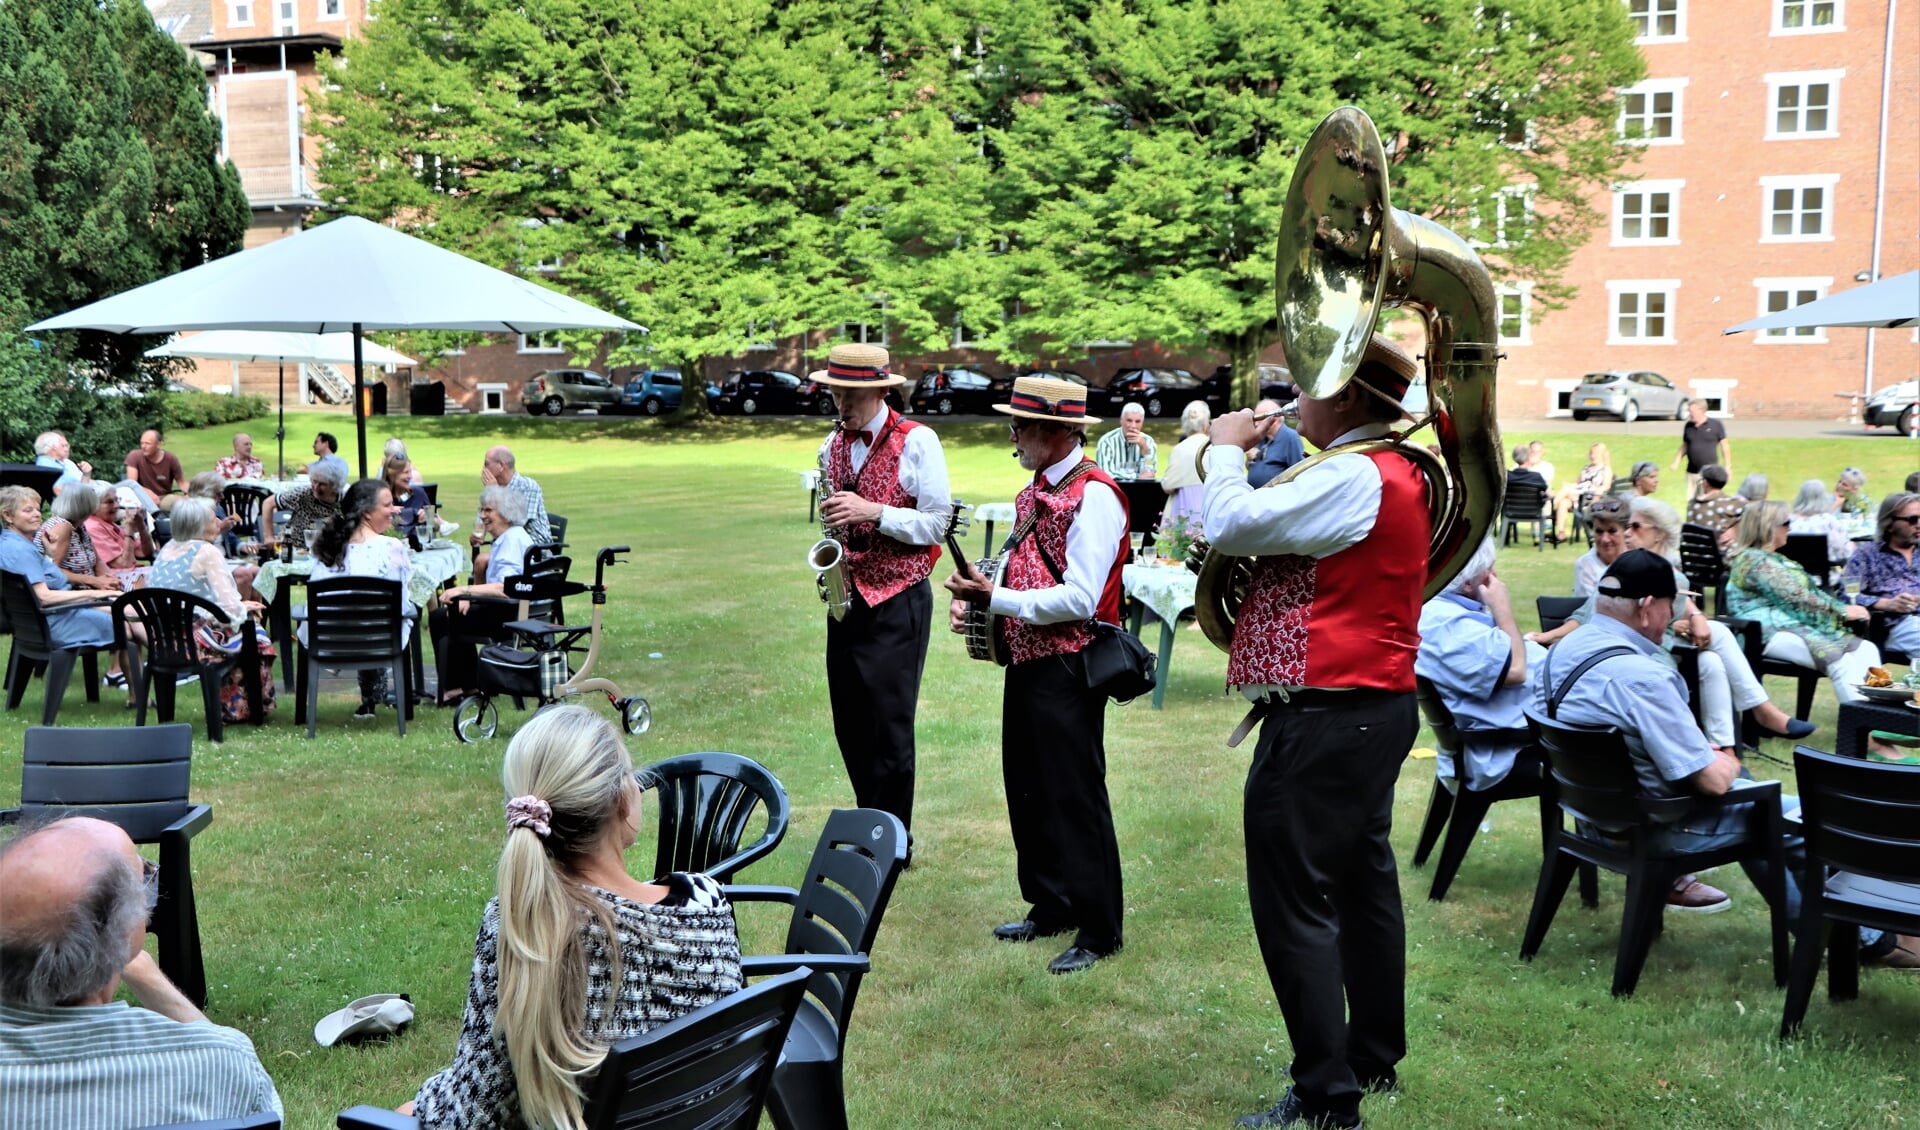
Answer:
(1324, 887)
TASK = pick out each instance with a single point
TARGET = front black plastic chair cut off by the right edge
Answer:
(1863, 868)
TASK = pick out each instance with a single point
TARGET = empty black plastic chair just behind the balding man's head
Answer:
(139, 780)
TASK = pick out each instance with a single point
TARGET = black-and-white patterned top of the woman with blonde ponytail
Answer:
(675, 956)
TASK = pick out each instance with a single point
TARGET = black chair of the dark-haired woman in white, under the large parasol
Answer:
(354, 624)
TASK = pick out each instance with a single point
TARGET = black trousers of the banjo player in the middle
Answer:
(1053, 759)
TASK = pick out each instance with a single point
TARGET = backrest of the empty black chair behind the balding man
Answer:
(130, 776)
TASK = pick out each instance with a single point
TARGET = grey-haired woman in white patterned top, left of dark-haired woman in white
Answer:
(195, 565)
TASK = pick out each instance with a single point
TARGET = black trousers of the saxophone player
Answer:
(875, 663)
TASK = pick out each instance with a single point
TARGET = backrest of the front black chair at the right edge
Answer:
(1861, 816)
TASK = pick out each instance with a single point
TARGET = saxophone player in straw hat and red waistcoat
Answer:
(888, 500)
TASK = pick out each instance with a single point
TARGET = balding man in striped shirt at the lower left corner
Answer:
(74, 905)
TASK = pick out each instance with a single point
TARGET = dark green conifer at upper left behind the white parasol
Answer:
(108, 168)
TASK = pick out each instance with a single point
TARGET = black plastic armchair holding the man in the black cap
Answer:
(1595, 782)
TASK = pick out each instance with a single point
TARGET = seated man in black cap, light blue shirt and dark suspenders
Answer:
(1646, 701)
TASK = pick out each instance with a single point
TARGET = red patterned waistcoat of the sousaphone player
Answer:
(1349, 621)
